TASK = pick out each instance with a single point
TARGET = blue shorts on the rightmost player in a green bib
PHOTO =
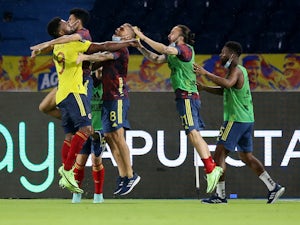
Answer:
(236, 135)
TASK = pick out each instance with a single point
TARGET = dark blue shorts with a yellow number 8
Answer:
(114, 115)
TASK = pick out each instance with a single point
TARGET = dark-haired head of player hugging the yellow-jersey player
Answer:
(78, 18)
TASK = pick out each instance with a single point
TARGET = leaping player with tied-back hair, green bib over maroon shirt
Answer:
(180, 57)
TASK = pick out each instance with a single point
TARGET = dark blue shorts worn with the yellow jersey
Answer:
(76, 112)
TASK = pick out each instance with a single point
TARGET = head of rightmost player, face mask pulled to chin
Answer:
(230, 52)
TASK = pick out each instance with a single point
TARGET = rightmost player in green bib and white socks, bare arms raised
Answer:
(236, 131)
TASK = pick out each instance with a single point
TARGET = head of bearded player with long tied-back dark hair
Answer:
(181, 33)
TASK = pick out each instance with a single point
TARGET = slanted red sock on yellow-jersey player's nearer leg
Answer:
(76, 145)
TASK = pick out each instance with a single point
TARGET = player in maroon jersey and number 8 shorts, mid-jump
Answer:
(115, 107)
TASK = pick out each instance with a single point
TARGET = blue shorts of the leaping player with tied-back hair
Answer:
(189, 112)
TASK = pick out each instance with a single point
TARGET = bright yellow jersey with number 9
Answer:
(70, 74)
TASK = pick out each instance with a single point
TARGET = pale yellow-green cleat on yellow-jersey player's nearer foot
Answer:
(68, 181)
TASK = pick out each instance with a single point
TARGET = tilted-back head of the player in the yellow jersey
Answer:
(58, 27)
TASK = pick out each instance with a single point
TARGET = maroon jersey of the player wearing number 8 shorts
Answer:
(114, 76)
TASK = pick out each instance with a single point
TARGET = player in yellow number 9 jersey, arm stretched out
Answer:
(71, 96)
